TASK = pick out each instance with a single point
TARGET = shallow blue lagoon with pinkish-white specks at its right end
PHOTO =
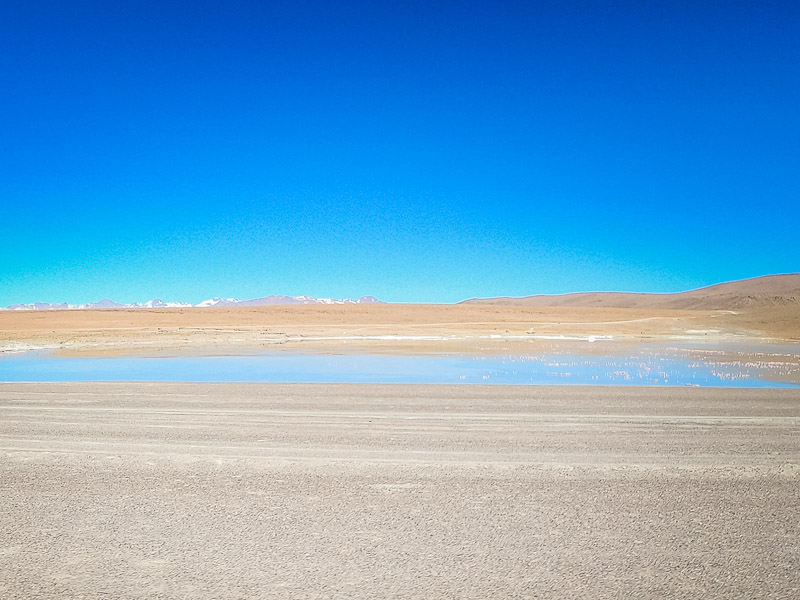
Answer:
(645, 366)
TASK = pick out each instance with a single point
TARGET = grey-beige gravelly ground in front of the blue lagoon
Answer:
(151, 490)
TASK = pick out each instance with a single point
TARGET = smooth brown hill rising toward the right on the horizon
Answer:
(768, 291)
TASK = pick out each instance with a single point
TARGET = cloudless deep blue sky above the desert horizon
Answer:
(415, 151)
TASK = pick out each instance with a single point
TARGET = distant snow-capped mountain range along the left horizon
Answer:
(157, 303)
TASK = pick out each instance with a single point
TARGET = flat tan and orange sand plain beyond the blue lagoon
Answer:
(384, 328)
